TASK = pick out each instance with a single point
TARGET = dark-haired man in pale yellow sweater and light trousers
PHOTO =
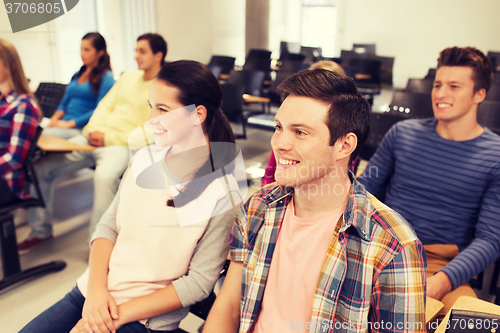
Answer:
(123, 108)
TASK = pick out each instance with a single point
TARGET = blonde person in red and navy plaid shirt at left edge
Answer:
(19, 118)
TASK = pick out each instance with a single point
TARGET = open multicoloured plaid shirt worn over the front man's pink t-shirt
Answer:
(373, 277)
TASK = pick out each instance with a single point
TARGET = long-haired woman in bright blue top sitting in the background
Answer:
(86, 89)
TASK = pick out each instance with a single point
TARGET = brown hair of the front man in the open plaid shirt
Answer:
(349, 111)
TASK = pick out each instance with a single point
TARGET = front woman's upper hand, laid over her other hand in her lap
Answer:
(99, 312)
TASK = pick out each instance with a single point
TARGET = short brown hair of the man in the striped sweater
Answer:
(469, 57)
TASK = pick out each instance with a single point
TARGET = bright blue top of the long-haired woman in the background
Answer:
(79, 101)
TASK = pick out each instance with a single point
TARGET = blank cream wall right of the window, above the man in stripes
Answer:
(415, 31)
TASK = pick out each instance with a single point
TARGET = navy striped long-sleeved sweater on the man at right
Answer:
(449, 191)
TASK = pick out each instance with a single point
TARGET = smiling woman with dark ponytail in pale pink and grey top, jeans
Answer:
(161, 244)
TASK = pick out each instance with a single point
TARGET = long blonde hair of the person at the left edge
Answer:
(10, 59)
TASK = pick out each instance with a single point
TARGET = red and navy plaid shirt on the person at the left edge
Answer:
(19, 118)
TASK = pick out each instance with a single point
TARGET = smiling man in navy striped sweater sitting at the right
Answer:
(443, 176)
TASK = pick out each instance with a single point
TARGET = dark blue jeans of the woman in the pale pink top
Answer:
(63, 316)
